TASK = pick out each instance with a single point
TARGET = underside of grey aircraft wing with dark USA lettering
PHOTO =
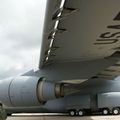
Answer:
(82, 30)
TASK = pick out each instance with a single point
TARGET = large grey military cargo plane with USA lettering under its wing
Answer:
(79, 64)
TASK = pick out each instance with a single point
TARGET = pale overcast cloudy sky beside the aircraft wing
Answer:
(21, 25)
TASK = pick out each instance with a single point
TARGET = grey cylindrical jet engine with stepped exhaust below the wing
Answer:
(28, 91)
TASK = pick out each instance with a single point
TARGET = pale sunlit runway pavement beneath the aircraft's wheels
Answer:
(61, 117)
